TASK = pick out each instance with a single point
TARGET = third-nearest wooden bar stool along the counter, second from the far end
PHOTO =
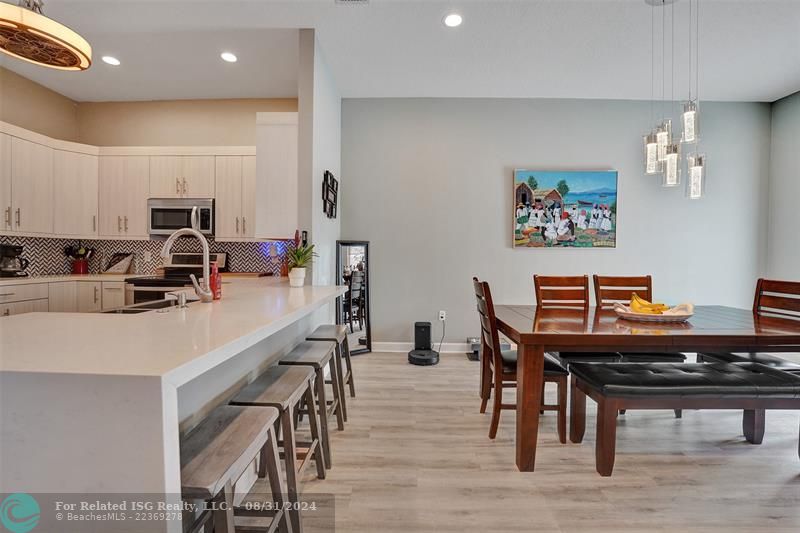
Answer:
(316, 355)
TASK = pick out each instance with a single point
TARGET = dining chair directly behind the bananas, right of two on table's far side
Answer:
(609, 290)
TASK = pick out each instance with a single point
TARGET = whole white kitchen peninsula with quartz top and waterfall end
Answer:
(96, 403)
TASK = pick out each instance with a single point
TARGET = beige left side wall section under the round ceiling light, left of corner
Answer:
(31, 106)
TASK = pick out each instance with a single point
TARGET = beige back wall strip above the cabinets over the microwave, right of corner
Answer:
(176, 122)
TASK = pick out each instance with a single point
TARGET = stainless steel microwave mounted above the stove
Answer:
(165, 215)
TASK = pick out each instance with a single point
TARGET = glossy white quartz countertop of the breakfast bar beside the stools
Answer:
(177, 345)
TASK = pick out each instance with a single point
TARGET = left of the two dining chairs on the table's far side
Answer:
(569, 292)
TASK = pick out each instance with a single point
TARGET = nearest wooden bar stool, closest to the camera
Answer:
(215, 455)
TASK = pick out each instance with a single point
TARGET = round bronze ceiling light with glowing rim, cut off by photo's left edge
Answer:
(25, 33)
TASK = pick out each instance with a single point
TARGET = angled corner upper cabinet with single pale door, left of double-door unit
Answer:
(75, 193)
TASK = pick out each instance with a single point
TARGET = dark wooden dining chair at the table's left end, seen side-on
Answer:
(499, 368)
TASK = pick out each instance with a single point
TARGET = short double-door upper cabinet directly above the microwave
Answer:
(180, 176)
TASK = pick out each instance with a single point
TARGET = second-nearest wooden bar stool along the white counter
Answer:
(283, 388)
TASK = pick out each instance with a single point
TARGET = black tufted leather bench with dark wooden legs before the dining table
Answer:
(751, 387)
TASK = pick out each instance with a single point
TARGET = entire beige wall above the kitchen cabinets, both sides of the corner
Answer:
(162, 123)
